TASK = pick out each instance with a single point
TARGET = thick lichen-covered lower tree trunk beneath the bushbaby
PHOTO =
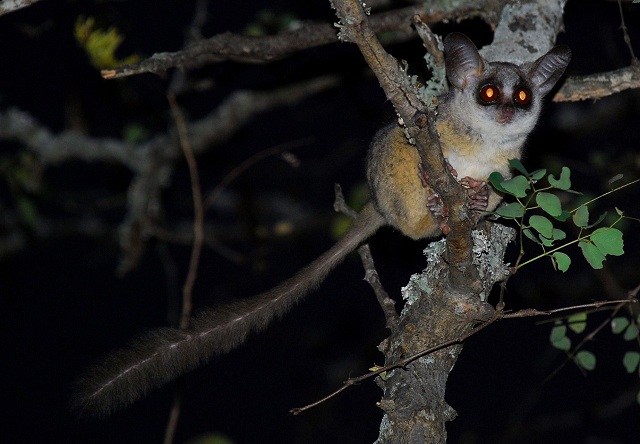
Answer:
(414, 405)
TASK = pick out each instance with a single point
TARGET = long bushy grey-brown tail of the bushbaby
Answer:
(164, 354)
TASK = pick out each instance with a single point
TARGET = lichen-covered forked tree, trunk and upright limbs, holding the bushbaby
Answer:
(414, 405)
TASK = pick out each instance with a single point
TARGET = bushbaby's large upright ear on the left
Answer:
(462, 59)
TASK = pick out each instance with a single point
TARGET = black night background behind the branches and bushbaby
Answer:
(64, 306)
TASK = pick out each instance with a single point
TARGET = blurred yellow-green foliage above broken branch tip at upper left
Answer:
(100, 45)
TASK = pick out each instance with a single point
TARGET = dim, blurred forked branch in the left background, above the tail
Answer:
(151, 162)
